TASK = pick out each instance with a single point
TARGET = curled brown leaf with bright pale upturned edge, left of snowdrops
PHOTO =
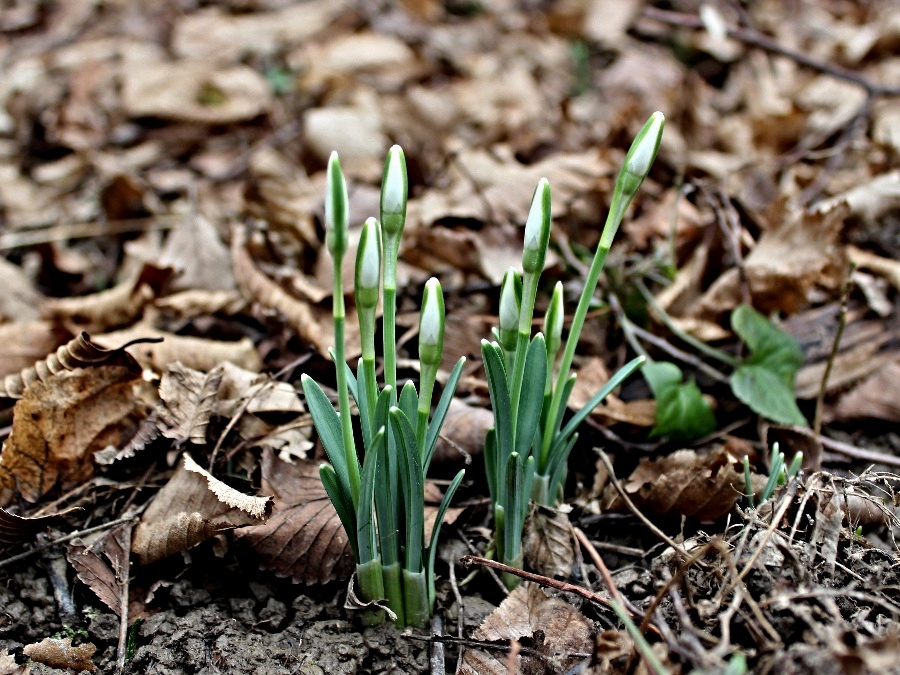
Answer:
(192, 507)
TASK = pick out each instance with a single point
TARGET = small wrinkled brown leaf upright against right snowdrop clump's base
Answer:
(548, 542)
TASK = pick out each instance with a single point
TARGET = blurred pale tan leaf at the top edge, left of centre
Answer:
(216, 35)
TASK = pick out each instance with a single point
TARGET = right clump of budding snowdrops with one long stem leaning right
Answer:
(527, 451)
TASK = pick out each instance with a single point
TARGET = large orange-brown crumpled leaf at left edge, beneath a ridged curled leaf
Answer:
(61, 422)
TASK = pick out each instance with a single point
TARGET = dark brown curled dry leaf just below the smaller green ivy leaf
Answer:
(683, 483)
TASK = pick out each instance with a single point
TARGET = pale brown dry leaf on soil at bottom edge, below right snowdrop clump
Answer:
(557, 629)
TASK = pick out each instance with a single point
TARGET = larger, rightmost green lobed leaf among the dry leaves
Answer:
(764, 381)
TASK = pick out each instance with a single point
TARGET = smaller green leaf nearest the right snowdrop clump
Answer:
(682, 413)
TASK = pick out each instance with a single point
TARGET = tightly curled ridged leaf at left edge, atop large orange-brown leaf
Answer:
(79, 352)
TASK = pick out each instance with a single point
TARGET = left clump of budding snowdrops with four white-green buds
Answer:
(381, 502)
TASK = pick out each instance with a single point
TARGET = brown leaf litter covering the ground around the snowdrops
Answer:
(161, 176)
